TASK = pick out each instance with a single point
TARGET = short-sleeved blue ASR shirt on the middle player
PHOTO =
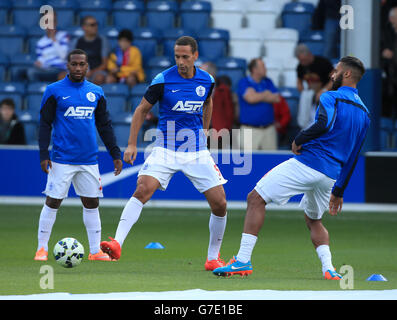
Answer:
(181, 102)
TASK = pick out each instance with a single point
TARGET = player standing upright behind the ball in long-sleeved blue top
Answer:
(72, 109)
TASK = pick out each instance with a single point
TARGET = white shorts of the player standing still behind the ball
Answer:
(85, 178)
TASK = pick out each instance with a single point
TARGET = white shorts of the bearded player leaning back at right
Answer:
(291, 178)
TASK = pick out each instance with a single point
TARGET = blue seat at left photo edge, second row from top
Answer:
(11, 39)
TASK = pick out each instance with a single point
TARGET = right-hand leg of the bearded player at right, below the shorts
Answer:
(320, 238)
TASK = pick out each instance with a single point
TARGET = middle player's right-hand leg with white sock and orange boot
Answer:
(217, 200)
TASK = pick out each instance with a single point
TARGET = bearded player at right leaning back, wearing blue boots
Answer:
(325, 157)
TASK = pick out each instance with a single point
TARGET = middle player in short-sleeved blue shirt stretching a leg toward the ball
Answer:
(184, 93)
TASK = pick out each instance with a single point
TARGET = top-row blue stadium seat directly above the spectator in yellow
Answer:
(127, 14)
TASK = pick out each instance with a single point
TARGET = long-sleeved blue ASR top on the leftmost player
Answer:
(73, 111)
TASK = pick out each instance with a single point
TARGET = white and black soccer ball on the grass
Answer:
(68, 252)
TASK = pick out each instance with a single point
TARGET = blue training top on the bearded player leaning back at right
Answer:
(333, 143)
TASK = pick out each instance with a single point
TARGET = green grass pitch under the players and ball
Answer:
(283, 259)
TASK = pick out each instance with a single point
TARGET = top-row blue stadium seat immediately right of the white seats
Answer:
(298, 16)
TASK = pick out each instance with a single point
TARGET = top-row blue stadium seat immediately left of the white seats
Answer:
(195, 15)
